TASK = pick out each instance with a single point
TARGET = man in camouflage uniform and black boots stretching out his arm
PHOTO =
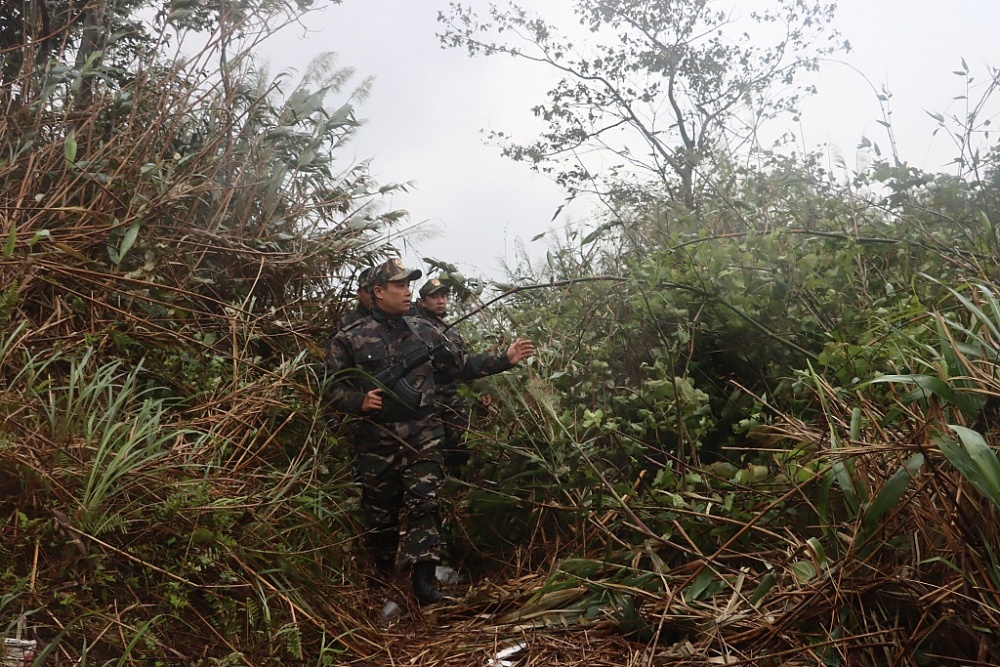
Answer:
(398, 459)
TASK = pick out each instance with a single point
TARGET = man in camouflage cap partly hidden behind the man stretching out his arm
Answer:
(452, 407)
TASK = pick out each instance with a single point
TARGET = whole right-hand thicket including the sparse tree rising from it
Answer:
(760, 428)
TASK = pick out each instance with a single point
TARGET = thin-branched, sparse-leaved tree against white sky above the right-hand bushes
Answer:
(665, 88)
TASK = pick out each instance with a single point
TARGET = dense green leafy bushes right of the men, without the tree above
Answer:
(791, 382)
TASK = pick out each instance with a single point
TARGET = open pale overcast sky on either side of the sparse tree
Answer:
(429, 107)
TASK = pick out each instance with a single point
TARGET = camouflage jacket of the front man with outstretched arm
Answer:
(358, 352)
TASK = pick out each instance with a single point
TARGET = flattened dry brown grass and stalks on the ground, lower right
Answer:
(918, 585)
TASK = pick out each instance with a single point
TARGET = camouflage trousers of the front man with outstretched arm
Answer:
(400, 467)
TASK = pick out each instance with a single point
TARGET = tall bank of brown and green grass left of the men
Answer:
(177, 245)
